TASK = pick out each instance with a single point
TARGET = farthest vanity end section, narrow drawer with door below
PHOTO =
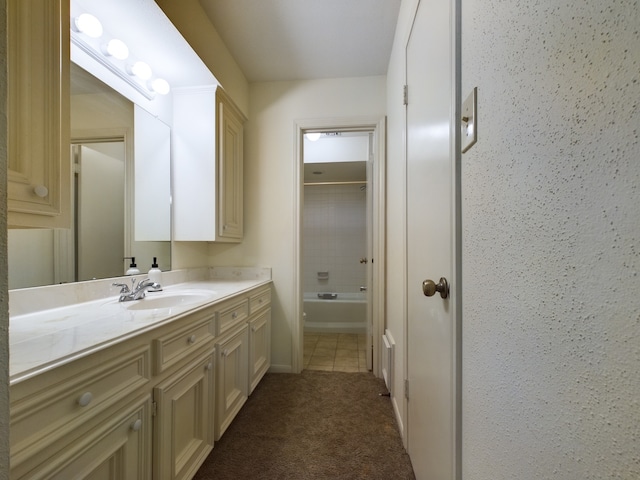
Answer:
(259, 336)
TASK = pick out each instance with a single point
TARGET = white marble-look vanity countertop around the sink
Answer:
(43, 340)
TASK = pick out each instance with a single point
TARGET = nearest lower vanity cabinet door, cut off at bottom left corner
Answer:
(119, 448)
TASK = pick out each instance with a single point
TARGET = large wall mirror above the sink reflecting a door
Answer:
(103, 234)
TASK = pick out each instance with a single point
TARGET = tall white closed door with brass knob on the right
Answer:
(430, 243)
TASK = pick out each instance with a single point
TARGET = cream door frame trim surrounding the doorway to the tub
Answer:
(373, 258)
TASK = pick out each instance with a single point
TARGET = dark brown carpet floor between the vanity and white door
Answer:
(316, 425)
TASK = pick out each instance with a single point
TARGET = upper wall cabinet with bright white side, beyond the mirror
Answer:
(207, 168)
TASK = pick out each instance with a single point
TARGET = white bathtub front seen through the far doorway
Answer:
(347, 313)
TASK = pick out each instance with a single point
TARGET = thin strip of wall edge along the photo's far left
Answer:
(4, 295)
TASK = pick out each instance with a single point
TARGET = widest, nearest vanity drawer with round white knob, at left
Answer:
(50, 406)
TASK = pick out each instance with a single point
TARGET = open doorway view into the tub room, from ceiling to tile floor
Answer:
(335, 253)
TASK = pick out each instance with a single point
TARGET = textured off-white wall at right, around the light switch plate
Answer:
(551, 229)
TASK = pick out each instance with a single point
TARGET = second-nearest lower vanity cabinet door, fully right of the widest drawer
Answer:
(184, 421)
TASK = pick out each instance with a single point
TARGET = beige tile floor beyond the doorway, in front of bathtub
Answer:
(335, 352)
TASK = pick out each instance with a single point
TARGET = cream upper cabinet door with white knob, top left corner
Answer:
(38, 113)
